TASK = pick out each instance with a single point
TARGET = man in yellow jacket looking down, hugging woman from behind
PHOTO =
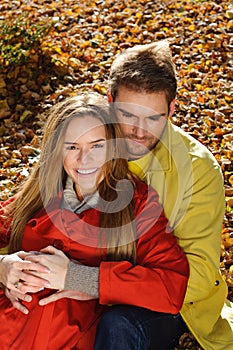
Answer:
(142, 87)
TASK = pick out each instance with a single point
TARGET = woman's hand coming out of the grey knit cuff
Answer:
(56, 261)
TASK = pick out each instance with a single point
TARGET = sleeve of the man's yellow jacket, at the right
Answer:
(199, 232)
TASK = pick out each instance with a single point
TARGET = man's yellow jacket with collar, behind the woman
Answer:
(189, 182)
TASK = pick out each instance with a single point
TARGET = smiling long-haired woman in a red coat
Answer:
(83, 226)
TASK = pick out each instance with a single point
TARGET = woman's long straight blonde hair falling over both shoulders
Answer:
(48, 178)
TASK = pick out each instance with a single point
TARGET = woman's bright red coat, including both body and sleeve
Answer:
(157, 282)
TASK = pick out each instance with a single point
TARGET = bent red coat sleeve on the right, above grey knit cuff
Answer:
(159, 279)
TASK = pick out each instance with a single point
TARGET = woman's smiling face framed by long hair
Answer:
(85, 153)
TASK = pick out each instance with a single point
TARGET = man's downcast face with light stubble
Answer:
(143, 117)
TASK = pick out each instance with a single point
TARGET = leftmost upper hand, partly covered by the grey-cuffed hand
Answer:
(19, 275)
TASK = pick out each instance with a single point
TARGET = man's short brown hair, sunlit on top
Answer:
(148, 68)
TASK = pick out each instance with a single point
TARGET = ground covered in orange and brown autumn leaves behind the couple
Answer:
(52, 49)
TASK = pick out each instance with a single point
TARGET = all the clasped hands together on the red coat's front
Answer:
(31, 272)
